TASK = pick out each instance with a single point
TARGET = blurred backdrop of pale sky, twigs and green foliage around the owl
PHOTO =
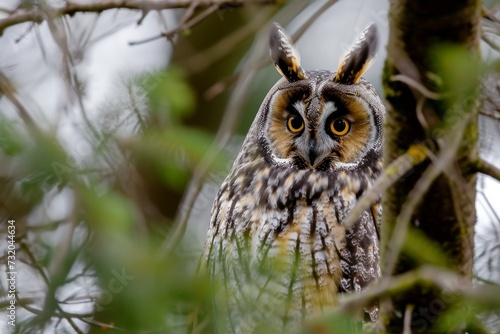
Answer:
(116, 130)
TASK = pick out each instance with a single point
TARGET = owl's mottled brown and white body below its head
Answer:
(276, 234)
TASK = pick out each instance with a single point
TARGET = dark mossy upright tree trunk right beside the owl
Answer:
(445, 214)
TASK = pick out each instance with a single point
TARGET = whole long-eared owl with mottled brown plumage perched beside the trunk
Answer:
(276, 242)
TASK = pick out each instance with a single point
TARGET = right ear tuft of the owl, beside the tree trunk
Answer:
(359, 58)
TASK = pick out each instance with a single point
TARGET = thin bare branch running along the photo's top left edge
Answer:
(71, 8)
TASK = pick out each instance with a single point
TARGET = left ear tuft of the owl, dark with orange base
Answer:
(285, 58)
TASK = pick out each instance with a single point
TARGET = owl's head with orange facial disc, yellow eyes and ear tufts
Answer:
(321, 120)
